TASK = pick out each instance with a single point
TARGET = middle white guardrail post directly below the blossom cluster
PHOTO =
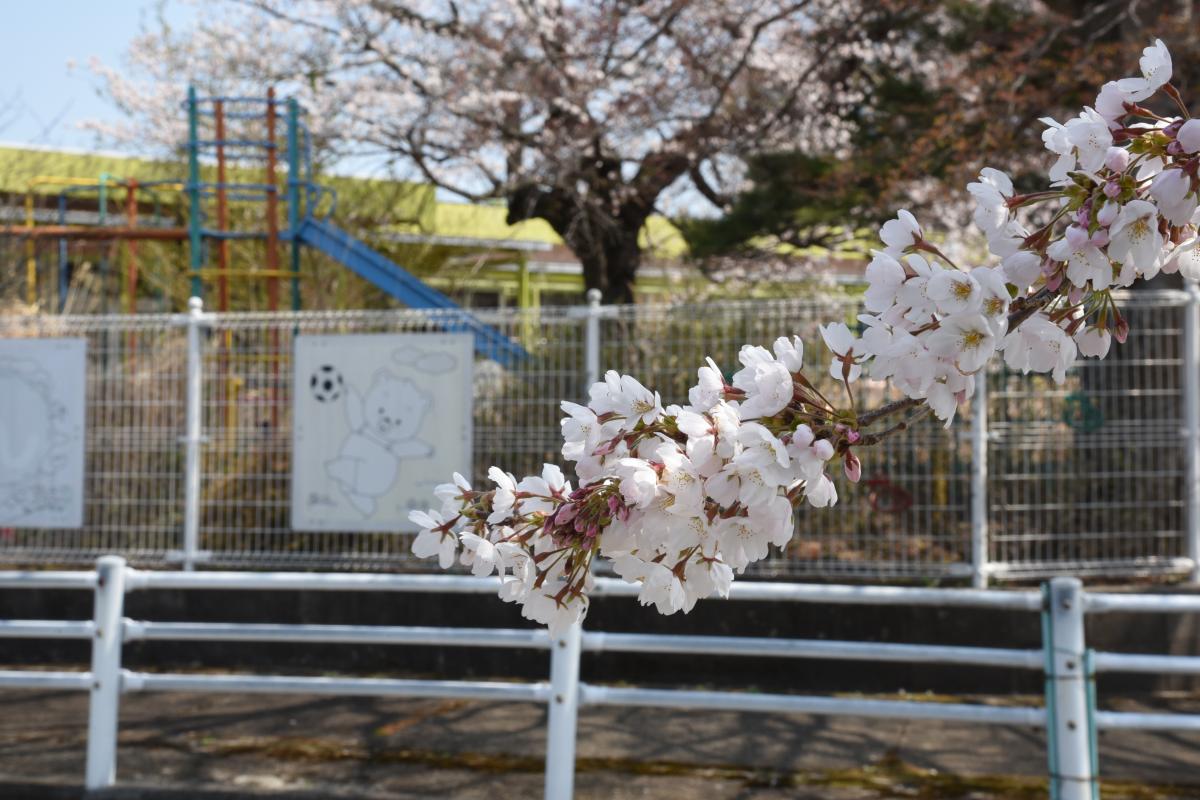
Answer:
(565, 705)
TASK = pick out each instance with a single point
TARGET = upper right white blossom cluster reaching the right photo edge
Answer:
(1121, 207)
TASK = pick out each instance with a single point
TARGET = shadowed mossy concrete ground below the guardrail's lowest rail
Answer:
(249, 747)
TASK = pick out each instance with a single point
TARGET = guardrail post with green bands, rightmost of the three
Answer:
(1069, 721)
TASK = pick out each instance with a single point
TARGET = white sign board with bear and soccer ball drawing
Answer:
(380, 420)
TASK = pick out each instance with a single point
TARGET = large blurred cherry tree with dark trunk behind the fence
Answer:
(583, 115)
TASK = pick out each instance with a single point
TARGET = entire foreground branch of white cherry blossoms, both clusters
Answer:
(680, 498)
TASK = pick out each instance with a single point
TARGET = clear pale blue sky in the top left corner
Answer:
(43, 99)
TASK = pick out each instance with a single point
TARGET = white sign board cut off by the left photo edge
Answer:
(43, 388)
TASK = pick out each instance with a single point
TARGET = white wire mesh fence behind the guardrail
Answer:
(1088, 478)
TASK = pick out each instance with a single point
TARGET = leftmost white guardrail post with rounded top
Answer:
(106, 673)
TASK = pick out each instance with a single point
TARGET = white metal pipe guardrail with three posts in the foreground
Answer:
(1070, 717)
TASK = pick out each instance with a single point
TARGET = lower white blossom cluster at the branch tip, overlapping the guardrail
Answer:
(679, 498)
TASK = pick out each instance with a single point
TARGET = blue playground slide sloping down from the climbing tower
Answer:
(407, 288)
